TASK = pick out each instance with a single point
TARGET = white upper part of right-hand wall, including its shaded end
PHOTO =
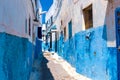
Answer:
(103, 14)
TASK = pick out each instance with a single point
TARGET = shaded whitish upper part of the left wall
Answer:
(13, 15)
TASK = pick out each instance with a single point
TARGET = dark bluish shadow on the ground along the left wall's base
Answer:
(40, 71)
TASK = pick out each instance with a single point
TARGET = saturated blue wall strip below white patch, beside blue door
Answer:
(112, 63)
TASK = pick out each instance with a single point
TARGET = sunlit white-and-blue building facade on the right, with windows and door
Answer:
(87, 36)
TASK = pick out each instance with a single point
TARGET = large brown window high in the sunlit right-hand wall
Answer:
(88, 17)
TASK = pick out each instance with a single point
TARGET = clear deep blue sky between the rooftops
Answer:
(45, 7)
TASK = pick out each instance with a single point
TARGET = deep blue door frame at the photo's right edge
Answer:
(117, 22)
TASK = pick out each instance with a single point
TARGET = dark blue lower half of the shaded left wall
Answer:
(15, 57)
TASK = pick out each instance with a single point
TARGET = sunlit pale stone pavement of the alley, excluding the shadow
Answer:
(60, 69)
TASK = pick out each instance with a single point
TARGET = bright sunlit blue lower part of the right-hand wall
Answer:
(90, 55)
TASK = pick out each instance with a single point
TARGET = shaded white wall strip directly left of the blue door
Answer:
(110, 22)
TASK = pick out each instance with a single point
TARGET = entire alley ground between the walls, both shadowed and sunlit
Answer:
(53, 67)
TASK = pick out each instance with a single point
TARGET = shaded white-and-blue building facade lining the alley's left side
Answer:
(18, 32)
